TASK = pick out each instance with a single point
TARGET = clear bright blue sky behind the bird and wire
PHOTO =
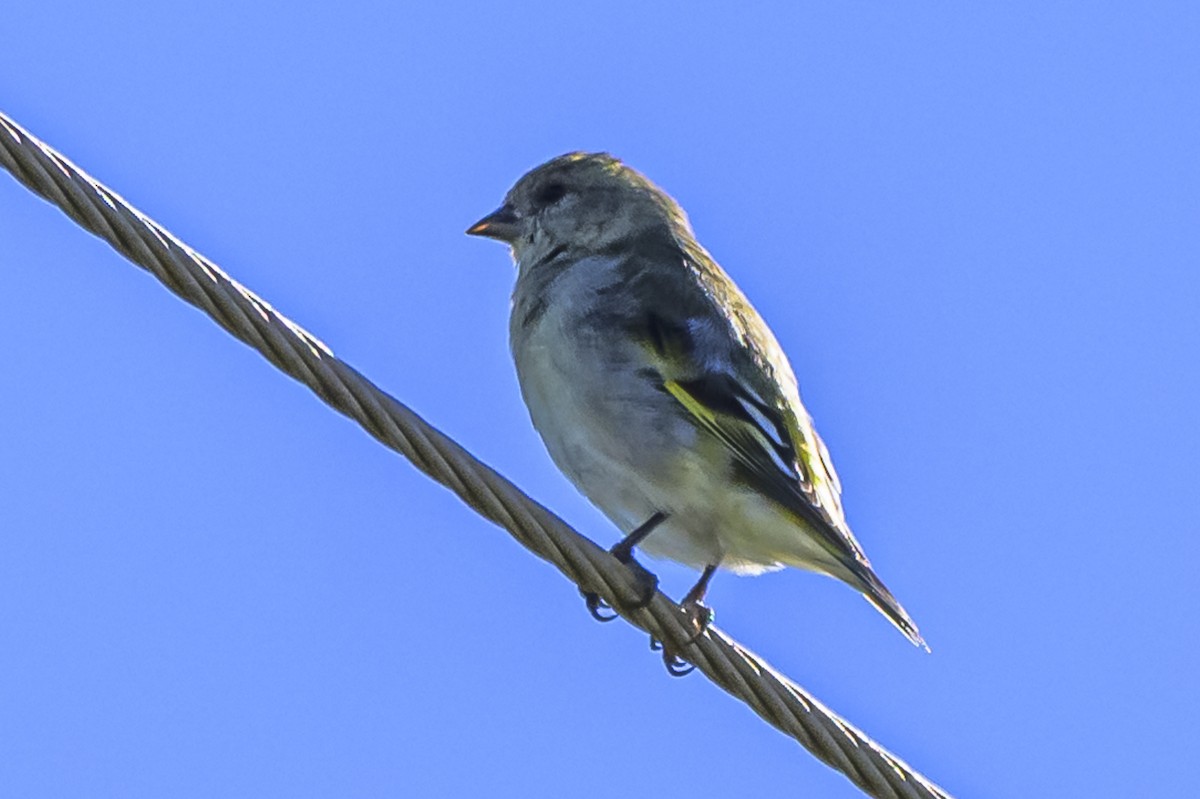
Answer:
(975, 231)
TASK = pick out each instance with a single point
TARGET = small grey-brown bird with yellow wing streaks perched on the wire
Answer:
(661, 393)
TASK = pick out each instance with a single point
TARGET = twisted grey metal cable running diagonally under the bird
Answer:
(299, 355)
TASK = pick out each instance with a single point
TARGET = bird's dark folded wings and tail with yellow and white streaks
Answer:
(715, 356)
